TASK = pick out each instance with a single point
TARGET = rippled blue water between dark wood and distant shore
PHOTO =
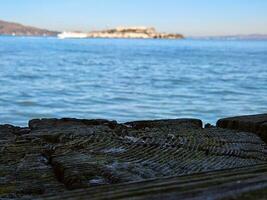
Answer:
(128, 80)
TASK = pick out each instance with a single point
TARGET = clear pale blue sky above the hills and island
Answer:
(189, 17)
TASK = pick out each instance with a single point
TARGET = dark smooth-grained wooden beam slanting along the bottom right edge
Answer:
(213, 185)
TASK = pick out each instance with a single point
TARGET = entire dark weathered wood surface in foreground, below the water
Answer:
(92, 159)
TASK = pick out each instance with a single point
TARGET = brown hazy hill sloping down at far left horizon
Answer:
(9, 28)
